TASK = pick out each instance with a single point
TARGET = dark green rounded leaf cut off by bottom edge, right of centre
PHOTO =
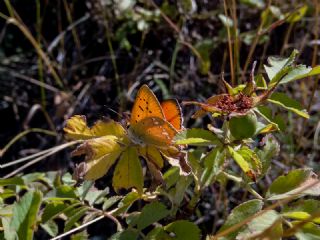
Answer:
(183, 230)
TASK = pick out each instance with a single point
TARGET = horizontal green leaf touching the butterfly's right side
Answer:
(196, 137)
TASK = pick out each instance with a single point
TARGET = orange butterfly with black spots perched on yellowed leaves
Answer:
(152, 123)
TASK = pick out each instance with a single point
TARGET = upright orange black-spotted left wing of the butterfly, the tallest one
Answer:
(146, 105)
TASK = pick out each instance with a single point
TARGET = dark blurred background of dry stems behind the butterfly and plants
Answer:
(64, 57)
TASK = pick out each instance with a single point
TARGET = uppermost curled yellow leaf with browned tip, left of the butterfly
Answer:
(76, 128)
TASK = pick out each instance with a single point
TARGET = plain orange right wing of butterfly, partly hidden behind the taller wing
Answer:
(172, 112)
